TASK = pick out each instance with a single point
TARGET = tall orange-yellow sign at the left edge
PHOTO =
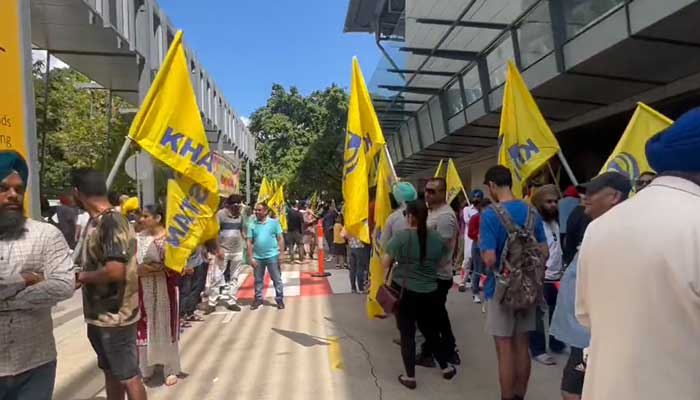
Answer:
(11, 82)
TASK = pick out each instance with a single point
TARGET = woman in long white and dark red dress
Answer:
(158, 330)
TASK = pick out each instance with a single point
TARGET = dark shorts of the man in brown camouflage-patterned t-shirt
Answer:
(116, 350)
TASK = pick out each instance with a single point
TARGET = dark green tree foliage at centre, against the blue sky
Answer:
(299, 140)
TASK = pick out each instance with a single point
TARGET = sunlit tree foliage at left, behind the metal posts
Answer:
(76, 129)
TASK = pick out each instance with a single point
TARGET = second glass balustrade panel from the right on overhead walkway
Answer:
(535, 35)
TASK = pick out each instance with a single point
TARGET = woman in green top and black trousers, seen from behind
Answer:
(417, 252)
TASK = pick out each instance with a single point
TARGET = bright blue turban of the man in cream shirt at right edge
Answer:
(677, 148)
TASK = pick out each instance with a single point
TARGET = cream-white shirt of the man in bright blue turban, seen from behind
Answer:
(638, 290)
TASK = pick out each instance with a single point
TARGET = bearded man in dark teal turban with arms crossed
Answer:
(35, 274)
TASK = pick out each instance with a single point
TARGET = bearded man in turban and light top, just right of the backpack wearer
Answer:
(545, 201)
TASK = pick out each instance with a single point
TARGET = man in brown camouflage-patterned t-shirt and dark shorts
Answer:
(110, 287)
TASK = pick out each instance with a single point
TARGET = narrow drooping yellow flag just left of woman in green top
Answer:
(382, 209)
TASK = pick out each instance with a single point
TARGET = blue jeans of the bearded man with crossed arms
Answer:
(35, 384)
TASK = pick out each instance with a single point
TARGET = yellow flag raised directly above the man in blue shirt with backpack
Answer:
(525, 142)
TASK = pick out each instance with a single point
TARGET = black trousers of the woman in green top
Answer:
(419, 309)
